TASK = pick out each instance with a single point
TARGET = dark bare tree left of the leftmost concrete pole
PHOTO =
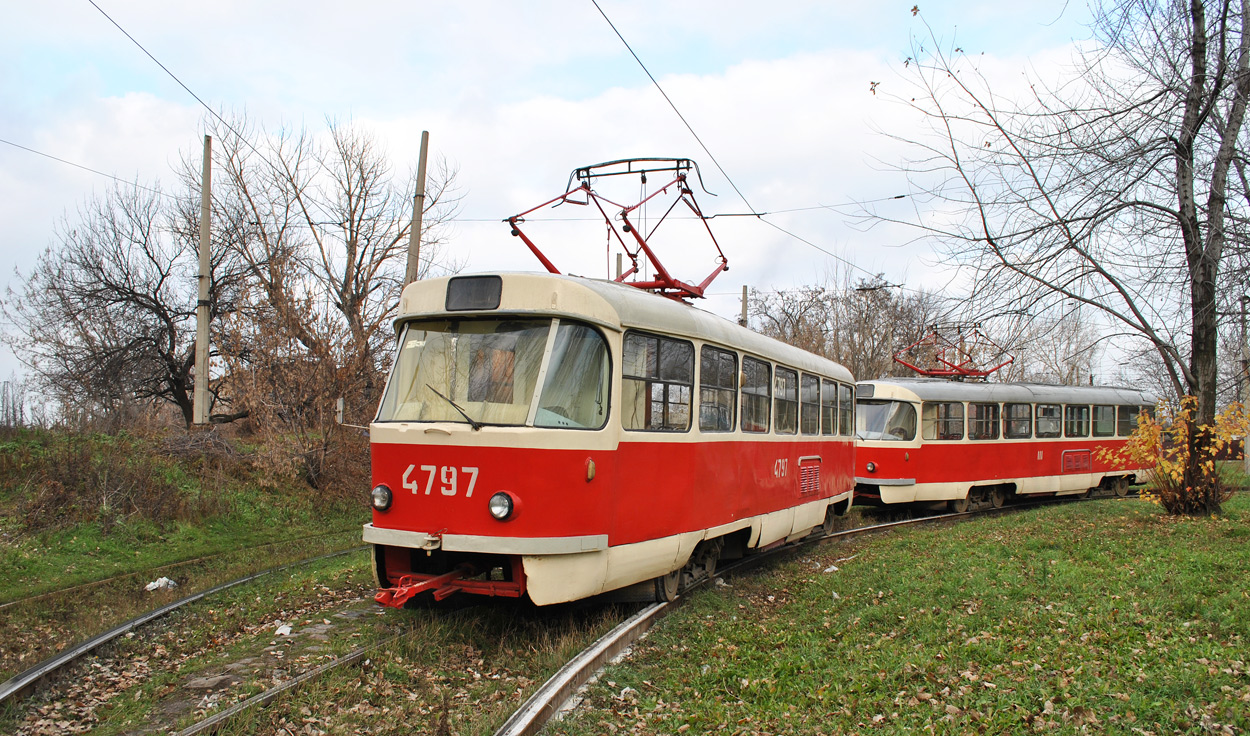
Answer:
(108, 318)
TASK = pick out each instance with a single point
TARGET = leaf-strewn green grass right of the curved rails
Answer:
(1081, 618)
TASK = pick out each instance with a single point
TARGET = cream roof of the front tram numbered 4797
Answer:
(617, 307)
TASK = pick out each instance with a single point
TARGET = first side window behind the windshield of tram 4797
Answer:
(659, 379)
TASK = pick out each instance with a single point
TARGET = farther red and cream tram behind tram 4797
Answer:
(923, 440)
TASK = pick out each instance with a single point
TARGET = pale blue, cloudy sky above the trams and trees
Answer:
(517, 96)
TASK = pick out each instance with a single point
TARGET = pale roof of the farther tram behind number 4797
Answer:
(944, 390)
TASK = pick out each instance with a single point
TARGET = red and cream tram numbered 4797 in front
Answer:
(558, 438)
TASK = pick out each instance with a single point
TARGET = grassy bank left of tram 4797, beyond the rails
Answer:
(178, 508)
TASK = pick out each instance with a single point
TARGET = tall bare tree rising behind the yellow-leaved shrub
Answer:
(1111, 192)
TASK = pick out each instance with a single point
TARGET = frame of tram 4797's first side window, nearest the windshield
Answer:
(666, 375)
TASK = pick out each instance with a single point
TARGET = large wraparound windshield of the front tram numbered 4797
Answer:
(487, 373)
